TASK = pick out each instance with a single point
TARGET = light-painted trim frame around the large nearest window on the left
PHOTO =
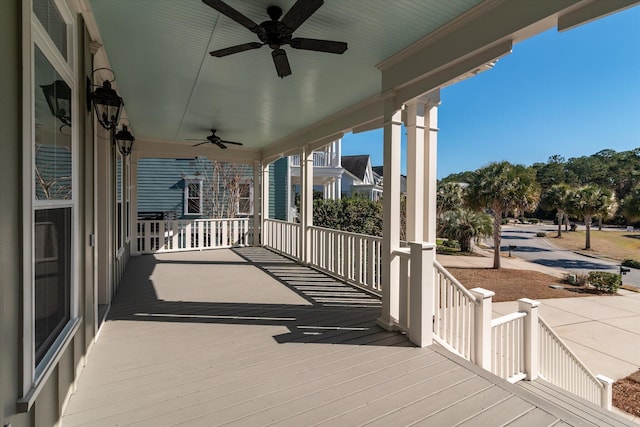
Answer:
(34, 34)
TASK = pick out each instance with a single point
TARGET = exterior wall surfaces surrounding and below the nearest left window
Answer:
(52, 392)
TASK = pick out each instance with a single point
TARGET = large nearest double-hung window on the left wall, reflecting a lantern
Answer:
(50, 310)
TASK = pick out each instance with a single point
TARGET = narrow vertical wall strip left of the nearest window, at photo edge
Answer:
(10, 210)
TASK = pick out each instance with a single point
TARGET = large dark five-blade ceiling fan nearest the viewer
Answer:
(276, 33)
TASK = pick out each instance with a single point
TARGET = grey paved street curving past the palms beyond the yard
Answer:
(525, 245)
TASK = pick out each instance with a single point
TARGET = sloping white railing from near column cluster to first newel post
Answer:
(455, 311)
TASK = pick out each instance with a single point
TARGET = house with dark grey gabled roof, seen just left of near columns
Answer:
(359, 178)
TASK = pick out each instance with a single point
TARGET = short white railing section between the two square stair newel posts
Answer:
(507, 344)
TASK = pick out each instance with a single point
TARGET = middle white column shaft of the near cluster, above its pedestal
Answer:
(416, 179)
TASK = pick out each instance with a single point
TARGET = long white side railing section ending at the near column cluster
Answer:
(354, 258)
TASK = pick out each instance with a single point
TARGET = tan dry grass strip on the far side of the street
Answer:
(617, 245)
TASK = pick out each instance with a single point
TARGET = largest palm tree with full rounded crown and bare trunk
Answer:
(503, 187)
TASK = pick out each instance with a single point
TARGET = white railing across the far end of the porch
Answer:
(155, 236)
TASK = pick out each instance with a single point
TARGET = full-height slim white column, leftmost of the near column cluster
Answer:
(391, 215)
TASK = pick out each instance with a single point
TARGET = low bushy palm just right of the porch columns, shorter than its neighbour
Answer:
(465, 226)
